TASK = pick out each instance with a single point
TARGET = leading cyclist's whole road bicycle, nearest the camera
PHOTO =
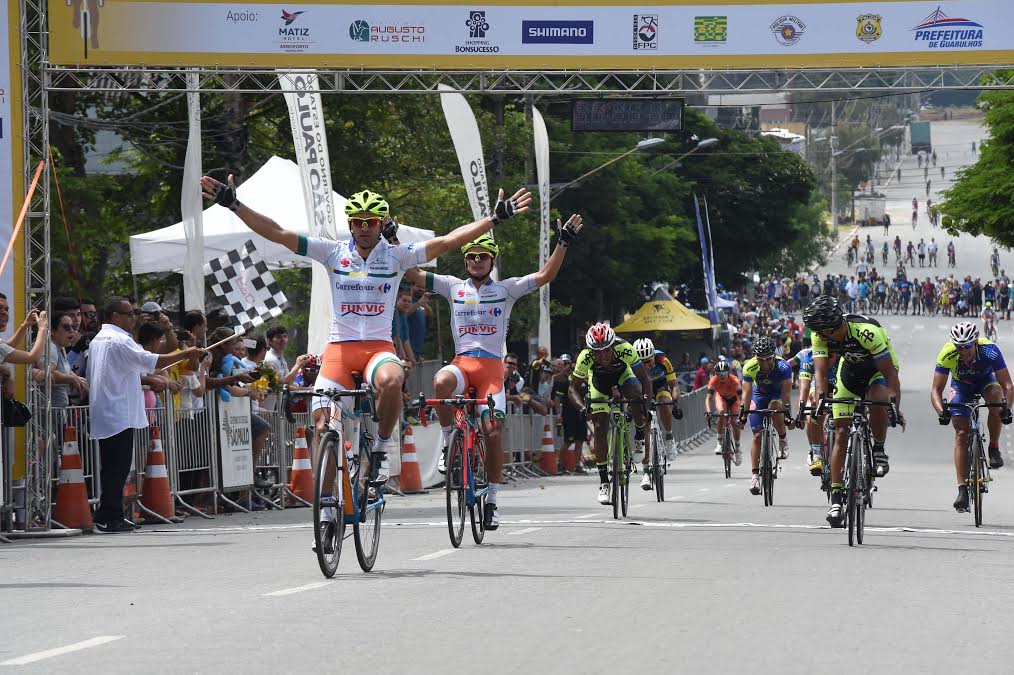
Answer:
(343, 493)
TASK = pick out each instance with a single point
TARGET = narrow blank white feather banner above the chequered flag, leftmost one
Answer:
(191, 204)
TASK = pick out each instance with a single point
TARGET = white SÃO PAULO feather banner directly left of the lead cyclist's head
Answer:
(311, 141)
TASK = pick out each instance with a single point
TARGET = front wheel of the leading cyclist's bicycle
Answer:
(329, 534)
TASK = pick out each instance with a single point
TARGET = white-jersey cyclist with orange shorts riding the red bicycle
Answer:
(480, 315)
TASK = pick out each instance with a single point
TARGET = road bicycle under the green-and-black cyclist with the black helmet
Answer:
(859, 472)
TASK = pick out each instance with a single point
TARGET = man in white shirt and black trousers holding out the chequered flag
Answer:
(116, 365)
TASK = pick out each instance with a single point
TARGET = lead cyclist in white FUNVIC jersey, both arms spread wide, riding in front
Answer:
(365, 273)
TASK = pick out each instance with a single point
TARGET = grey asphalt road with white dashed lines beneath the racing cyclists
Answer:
(709, 582)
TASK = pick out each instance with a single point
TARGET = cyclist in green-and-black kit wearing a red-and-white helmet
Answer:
(607, 363)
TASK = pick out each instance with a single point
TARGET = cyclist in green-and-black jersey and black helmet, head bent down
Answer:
(867, 368)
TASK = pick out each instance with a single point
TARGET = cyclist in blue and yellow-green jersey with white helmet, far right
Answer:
(976, 367)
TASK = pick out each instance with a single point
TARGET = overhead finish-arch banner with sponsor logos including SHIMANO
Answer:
(532, 35)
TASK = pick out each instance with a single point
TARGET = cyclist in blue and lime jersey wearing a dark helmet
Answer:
(767, 385)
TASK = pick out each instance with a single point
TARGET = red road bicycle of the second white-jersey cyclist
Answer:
(467, 483)
